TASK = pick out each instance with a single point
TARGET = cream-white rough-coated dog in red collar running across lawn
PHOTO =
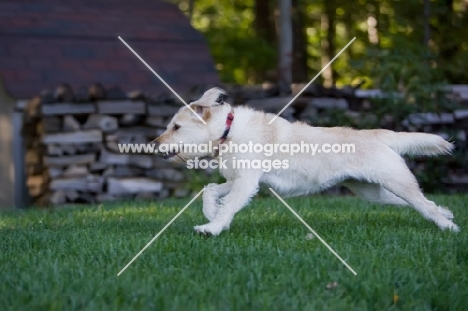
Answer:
(375, 171)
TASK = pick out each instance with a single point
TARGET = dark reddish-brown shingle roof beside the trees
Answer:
(49, 42)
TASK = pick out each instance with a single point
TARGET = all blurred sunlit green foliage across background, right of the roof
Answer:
(242, 56)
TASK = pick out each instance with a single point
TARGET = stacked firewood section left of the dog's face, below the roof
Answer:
(72, 150)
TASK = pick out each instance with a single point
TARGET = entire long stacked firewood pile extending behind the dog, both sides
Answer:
(72, 139)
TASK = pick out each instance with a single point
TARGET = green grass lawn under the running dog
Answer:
(68, 259)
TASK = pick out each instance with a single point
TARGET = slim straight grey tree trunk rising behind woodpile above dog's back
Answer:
(285, 47)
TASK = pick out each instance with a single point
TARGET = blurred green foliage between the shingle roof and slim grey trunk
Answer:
(240, 55)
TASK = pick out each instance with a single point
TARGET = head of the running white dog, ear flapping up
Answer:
(187, 128)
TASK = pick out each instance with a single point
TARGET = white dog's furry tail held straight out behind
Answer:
(416, 143)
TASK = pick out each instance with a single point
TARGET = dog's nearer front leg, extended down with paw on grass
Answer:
(241, 192)
